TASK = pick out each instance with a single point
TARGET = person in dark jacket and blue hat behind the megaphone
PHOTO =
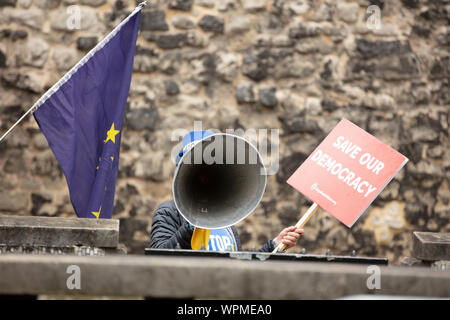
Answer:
(170, 230)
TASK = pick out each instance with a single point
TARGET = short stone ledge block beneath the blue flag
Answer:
(58, 232)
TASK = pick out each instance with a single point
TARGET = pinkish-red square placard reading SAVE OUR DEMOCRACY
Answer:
(347, 171)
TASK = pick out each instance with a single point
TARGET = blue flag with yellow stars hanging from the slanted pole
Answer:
(81, 117)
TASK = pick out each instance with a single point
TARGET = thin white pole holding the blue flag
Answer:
(69, 74)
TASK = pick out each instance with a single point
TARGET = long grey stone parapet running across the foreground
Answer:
(189, 277)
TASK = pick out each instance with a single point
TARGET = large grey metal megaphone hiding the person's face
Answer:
(219, 181)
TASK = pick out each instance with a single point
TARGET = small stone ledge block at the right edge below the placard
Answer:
(431, 246)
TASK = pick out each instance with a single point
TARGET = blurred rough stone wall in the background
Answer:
(296, 65)
